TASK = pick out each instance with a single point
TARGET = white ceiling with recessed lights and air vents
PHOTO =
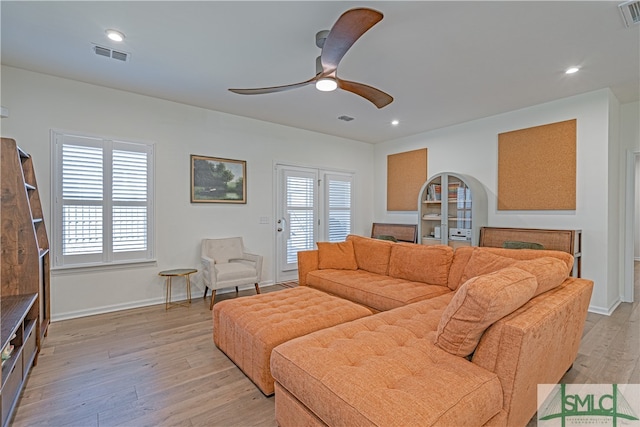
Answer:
(443, 62)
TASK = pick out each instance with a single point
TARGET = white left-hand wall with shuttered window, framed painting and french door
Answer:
(39, 103)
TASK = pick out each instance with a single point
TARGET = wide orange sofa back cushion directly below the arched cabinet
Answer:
(419, 263)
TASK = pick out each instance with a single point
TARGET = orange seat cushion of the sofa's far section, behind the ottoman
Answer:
(372, 290)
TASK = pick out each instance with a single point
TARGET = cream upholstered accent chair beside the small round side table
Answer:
(225, 264)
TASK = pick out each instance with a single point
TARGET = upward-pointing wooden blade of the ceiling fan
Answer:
(348, 28)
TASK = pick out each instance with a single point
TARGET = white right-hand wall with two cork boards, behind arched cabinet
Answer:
(471, 148)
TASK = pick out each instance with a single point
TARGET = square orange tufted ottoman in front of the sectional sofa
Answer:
(247, 329)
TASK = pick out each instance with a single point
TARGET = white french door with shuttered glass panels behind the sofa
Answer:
(312, 205)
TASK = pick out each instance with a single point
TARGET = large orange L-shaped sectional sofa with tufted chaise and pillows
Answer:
(460, 338)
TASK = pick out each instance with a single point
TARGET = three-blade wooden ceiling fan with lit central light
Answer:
(334, 44)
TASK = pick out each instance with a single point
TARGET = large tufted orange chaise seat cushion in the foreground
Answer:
(385, 370)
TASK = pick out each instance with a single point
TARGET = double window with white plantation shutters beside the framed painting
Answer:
(103, 201)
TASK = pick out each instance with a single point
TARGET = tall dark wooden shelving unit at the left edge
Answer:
(24, 274)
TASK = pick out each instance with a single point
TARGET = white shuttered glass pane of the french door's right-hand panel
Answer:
(338, 202)
